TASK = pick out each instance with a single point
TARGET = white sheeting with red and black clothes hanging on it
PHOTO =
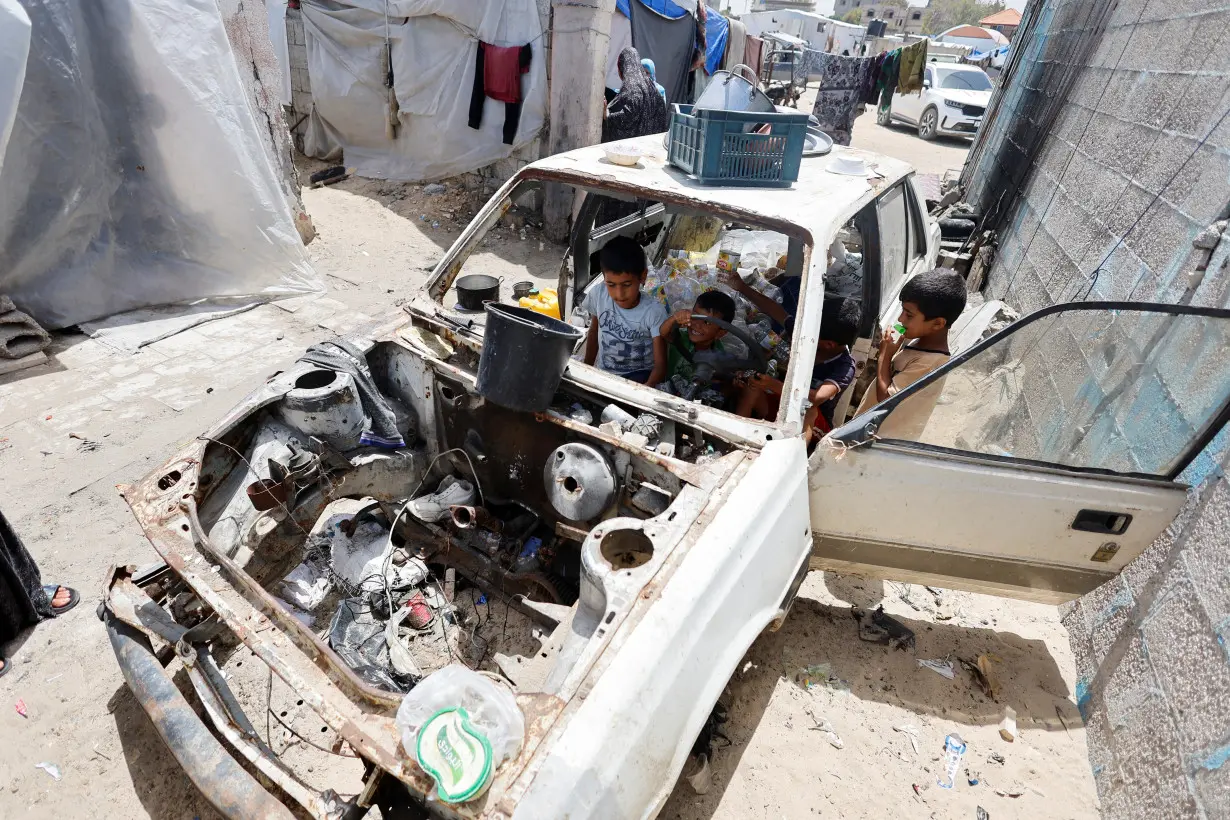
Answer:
(435, 44)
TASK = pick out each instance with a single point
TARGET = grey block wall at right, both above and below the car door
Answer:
(1136, 165)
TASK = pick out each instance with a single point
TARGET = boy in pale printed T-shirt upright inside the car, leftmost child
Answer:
(625, 325)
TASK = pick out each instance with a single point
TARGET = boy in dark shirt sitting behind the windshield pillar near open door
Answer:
(833, 372)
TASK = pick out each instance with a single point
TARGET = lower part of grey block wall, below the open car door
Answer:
(1154, 674)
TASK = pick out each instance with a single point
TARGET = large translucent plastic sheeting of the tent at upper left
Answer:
(136, 174)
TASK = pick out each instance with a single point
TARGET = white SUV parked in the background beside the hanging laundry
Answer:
(953, 103)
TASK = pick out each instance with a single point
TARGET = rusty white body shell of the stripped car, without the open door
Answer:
(667, 601)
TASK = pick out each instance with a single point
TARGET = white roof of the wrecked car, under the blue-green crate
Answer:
(814, 208)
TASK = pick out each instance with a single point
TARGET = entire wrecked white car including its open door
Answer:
(606, 578)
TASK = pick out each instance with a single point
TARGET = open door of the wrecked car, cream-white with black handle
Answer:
(1035, 465)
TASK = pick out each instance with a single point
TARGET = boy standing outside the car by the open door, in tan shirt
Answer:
(932, 302)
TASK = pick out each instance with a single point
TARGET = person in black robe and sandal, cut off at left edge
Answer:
(25, 601)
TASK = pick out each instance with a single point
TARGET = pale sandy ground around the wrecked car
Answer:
(377, 242)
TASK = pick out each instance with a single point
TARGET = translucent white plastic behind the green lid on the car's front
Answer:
(491, 709)
